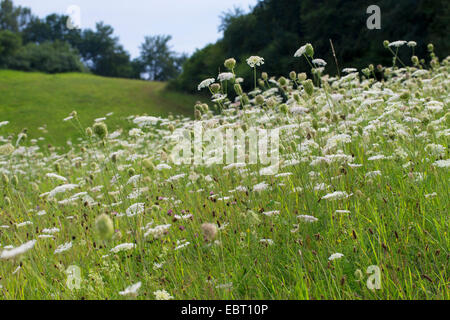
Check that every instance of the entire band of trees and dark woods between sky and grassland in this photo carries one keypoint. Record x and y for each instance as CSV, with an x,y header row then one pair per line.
x,y
273,29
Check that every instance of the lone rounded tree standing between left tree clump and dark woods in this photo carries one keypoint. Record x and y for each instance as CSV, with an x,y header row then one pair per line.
x,y
158,61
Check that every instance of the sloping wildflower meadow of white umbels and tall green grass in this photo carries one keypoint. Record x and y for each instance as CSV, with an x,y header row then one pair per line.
x,y
357,210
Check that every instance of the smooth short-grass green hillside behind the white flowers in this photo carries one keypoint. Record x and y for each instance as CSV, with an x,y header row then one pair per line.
x,y
32,100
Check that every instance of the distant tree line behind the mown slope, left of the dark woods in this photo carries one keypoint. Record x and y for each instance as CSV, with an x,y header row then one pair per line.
x,y
30,43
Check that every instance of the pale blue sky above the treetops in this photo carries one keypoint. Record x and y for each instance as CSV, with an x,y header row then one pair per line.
x,y
191,23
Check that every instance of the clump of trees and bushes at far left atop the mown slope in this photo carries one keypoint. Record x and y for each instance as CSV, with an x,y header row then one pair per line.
x,y
49,46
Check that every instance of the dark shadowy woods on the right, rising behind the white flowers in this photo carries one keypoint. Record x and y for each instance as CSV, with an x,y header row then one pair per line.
x,y
275,29
